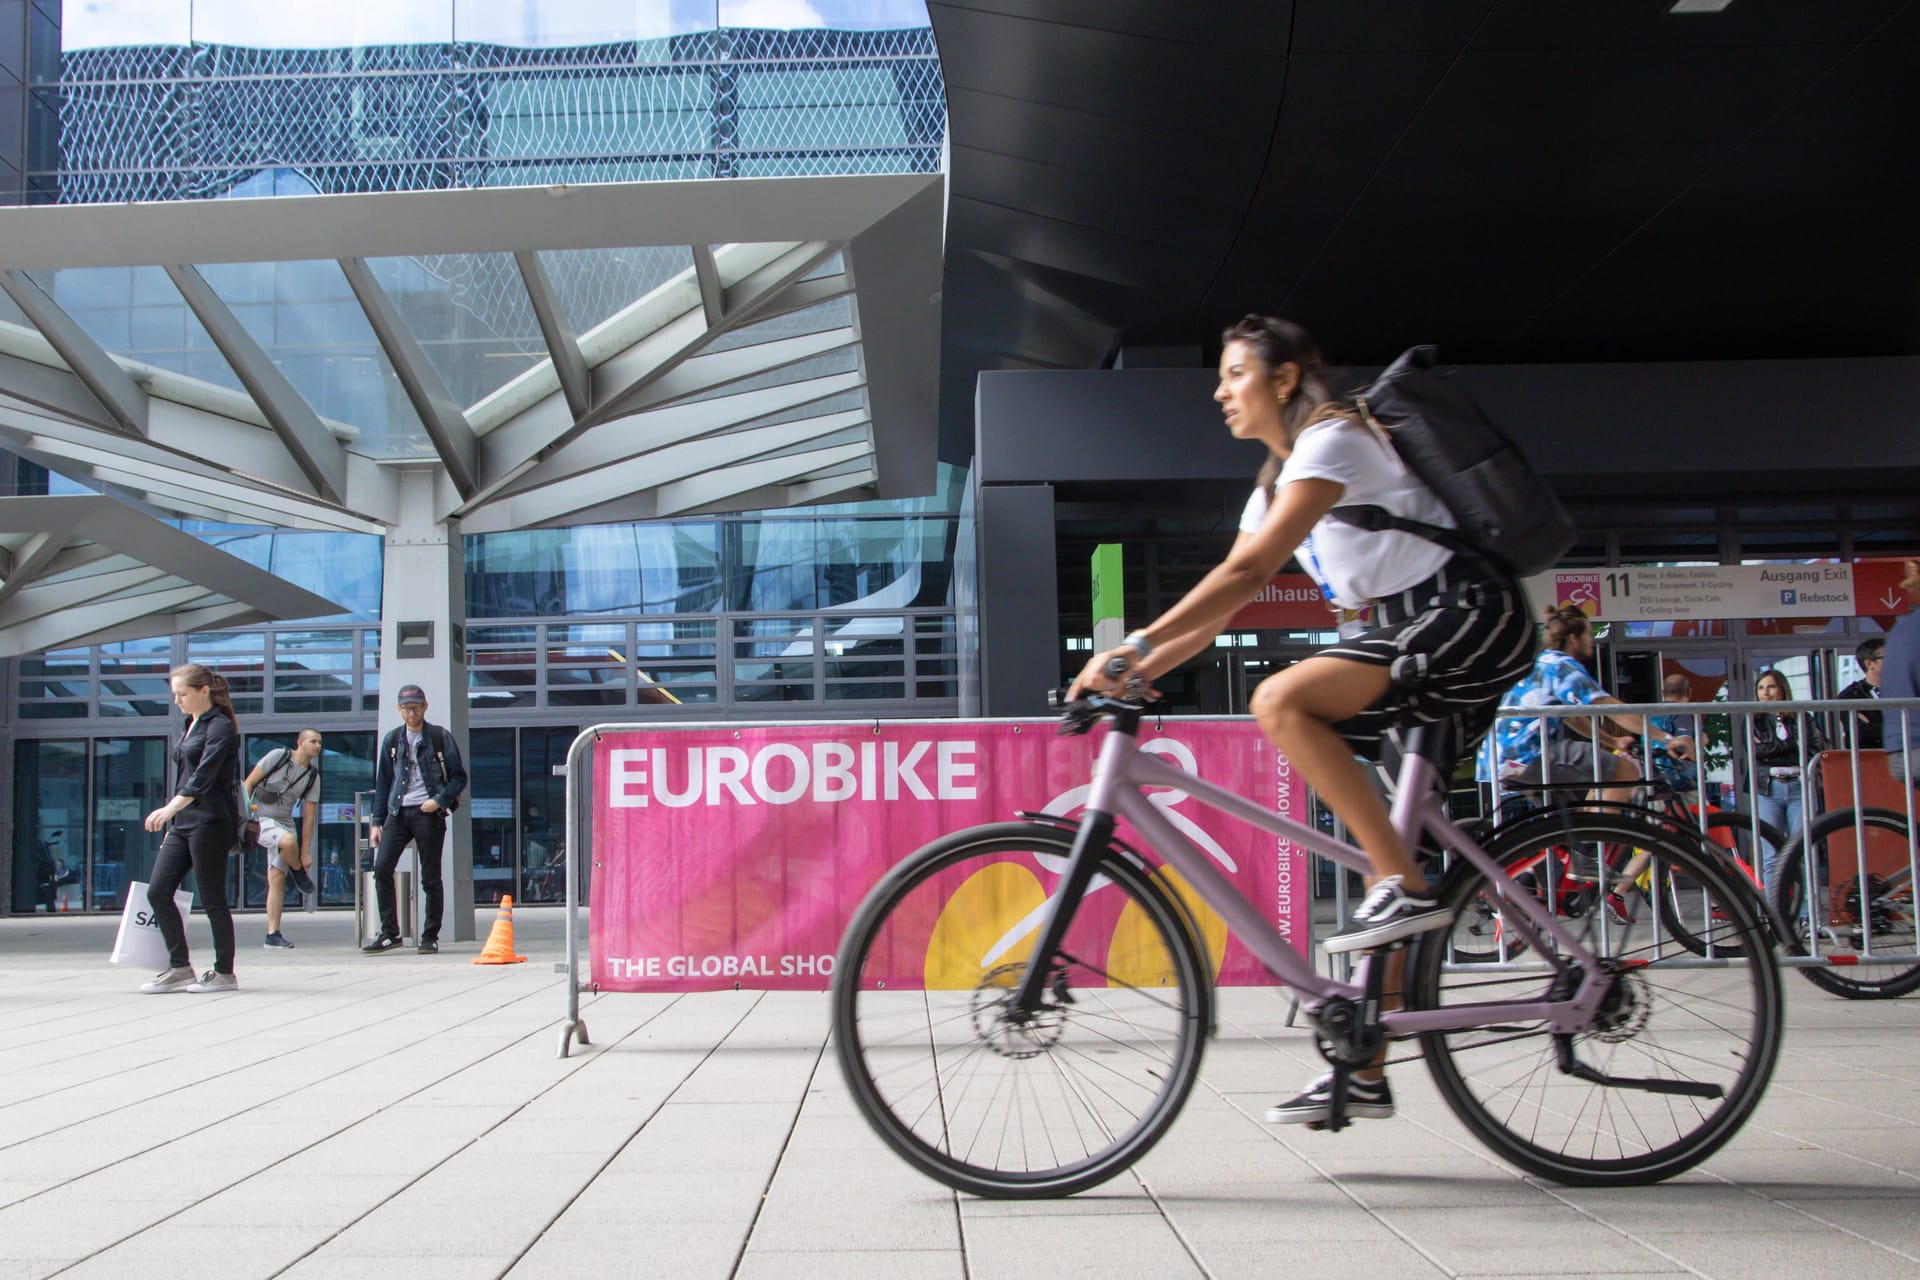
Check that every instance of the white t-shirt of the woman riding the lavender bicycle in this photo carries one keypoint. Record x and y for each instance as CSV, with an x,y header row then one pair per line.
x,y
1355,565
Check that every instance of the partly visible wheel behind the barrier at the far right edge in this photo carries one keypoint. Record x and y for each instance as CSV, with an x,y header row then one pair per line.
x,y
1850,924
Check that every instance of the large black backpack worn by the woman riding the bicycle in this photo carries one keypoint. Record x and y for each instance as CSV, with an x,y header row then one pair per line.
x,y
1506,513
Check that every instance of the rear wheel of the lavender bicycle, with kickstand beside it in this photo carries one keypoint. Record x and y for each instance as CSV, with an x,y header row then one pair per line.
x,y
1719,1028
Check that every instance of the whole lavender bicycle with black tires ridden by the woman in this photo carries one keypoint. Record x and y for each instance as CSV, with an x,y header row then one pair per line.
x,y
1049,1058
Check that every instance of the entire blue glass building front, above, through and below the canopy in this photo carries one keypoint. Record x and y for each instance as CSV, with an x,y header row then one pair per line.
x,y
688,619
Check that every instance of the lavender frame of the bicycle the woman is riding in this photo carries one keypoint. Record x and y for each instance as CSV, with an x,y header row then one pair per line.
x,y
1122,770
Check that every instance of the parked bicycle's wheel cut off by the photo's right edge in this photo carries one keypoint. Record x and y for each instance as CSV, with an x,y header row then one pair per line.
x,y
1890,918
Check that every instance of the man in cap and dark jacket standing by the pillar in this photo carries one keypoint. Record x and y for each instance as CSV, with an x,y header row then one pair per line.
x,y
418,782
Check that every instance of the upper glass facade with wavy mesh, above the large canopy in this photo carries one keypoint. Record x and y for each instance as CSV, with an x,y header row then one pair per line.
x,y
203,99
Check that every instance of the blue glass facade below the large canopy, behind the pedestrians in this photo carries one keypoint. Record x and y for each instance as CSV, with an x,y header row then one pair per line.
x,y
827,611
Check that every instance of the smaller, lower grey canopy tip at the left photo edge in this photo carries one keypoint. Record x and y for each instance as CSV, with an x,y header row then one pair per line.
x,y
91,571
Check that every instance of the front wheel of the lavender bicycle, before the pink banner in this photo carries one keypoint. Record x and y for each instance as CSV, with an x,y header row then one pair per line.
x,y
967,1093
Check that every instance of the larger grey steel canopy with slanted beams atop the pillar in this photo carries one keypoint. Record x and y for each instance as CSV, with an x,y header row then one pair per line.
x,y
794,360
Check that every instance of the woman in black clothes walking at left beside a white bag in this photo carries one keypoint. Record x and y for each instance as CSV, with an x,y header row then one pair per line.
x,y
203,826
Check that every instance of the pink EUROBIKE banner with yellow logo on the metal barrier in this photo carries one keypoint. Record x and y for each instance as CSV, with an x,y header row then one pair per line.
x,y
734,857
